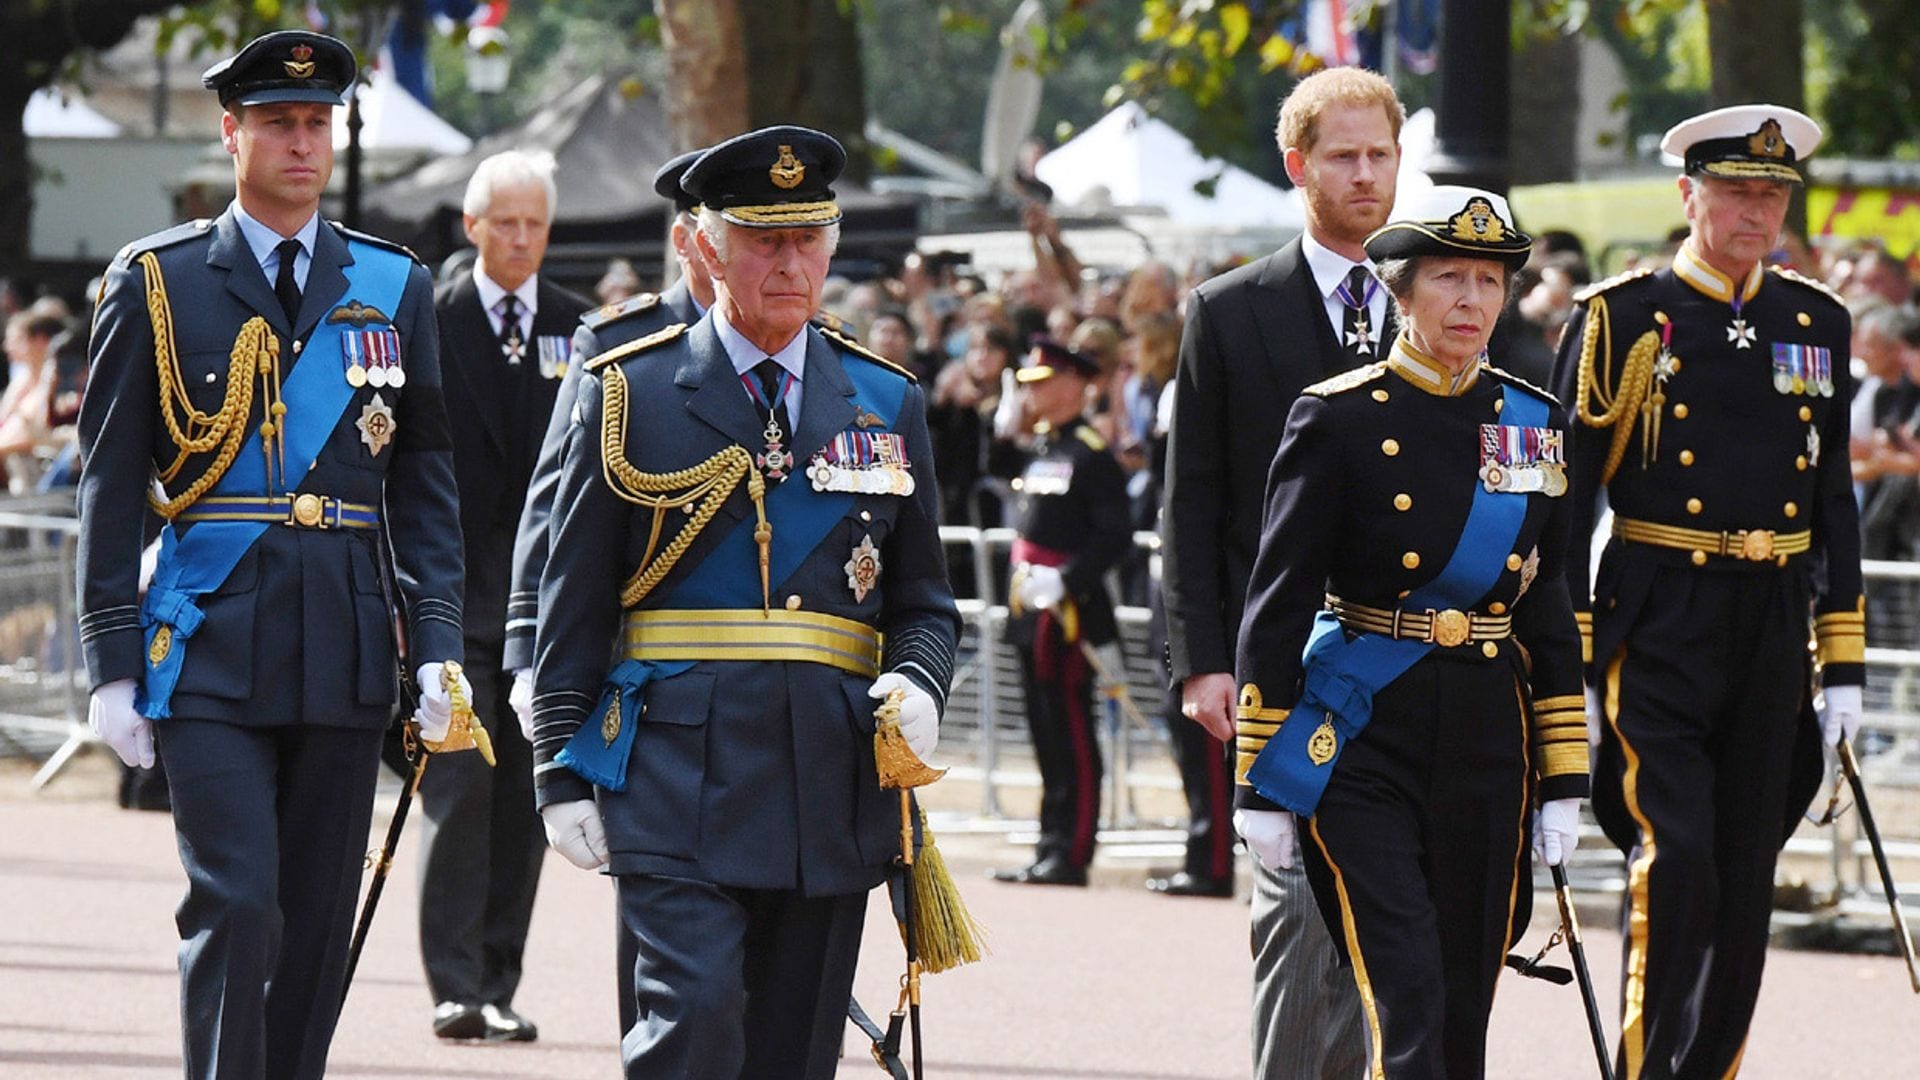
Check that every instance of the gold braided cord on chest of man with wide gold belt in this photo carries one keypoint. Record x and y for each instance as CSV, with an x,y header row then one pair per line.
x,y
708,483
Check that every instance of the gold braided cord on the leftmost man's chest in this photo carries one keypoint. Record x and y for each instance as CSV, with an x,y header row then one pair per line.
x,y
256,351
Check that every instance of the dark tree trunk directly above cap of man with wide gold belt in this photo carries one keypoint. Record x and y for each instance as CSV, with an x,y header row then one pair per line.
x,y
805,62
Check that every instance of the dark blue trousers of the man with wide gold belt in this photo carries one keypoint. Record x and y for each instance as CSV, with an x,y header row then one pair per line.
x,y
738,983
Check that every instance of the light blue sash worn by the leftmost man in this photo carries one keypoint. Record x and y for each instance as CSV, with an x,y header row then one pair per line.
x,y
197,564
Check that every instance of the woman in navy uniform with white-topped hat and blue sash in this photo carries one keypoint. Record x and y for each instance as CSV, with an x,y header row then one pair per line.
x,y
1410,664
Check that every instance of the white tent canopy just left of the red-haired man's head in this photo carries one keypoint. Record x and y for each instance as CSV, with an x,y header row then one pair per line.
x,y
1134,160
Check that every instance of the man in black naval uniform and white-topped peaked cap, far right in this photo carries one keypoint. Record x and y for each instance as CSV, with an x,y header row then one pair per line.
x,y
1712,410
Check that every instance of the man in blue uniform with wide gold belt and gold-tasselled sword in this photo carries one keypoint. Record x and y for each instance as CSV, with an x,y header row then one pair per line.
x,y
746,510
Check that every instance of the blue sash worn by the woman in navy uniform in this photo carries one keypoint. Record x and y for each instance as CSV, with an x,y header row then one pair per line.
x,y
1343,674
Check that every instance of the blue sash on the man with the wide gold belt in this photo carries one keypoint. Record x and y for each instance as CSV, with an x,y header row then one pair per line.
x,y
727,579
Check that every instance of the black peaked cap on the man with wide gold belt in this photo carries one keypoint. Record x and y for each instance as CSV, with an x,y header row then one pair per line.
x,y
777,178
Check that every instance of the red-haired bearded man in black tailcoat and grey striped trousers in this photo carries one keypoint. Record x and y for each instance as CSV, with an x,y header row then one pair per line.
x,y
1255,339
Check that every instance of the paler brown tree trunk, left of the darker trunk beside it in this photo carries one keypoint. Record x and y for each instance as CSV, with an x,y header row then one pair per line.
x,y
708,70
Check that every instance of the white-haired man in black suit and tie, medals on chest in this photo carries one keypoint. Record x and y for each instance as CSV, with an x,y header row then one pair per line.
x,y
506,339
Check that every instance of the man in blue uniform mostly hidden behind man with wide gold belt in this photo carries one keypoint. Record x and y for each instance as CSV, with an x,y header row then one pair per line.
x,y
598,331
